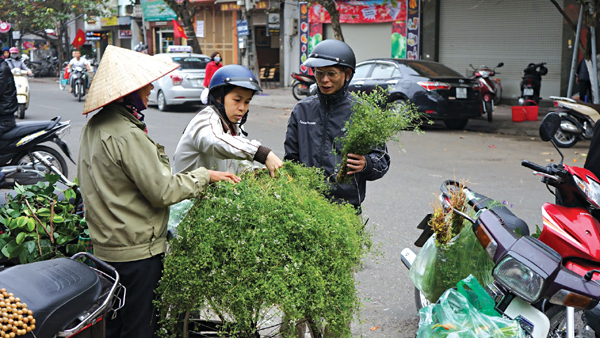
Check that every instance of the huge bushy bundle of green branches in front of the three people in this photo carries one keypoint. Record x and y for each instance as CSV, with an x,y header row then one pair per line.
x,y
265,243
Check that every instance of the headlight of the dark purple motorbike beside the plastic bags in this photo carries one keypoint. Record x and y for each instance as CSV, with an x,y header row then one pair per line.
x,y
519,278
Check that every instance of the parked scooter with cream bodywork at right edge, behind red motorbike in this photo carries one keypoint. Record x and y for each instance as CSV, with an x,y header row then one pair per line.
x,y
578,121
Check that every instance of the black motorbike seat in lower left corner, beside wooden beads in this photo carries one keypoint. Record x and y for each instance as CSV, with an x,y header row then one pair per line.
x,y
57,291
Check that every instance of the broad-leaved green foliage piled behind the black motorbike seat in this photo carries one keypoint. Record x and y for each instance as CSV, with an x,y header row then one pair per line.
x,y
36,225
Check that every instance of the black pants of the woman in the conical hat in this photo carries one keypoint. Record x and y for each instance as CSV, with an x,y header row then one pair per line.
x,y
138,319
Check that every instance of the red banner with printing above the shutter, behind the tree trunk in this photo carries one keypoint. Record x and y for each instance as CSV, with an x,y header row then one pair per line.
x,y
353,13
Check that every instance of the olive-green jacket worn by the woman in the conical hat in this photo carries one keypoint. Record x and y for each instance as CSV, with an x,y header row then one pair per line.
x,y
127,186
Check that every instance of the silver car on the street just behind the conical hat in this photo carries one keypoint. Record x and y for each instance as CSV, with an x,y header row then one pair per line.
x,y
183,85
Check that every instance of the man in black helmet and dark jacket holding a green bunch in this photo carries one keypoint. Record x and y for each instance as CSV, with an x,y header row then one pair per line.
x,y
317,120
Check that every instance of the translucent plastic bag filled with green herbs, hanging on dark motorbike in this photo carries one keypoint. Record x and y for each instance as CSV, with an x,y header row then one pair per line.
x,y
438,268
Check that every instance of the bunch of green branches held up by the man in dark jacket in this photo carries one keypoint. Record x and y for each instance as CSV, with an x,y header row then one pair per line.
x,y
373,123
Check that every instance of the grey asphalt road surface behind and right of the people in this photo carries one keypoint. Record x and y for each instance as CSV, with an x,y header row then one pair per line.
x,y
490,163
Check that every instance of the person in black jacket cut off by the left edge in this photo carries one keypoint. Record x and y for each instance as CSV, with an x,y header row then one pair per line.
x,y
8,98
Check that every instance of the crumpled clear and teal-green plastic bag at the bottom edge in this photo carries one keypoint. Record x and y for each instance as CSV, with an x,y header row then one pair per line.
x,y
456,316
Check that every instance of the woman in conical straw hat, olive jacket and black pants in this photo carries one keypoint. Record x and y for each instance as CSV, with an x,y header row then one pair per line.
x,y
127,185
